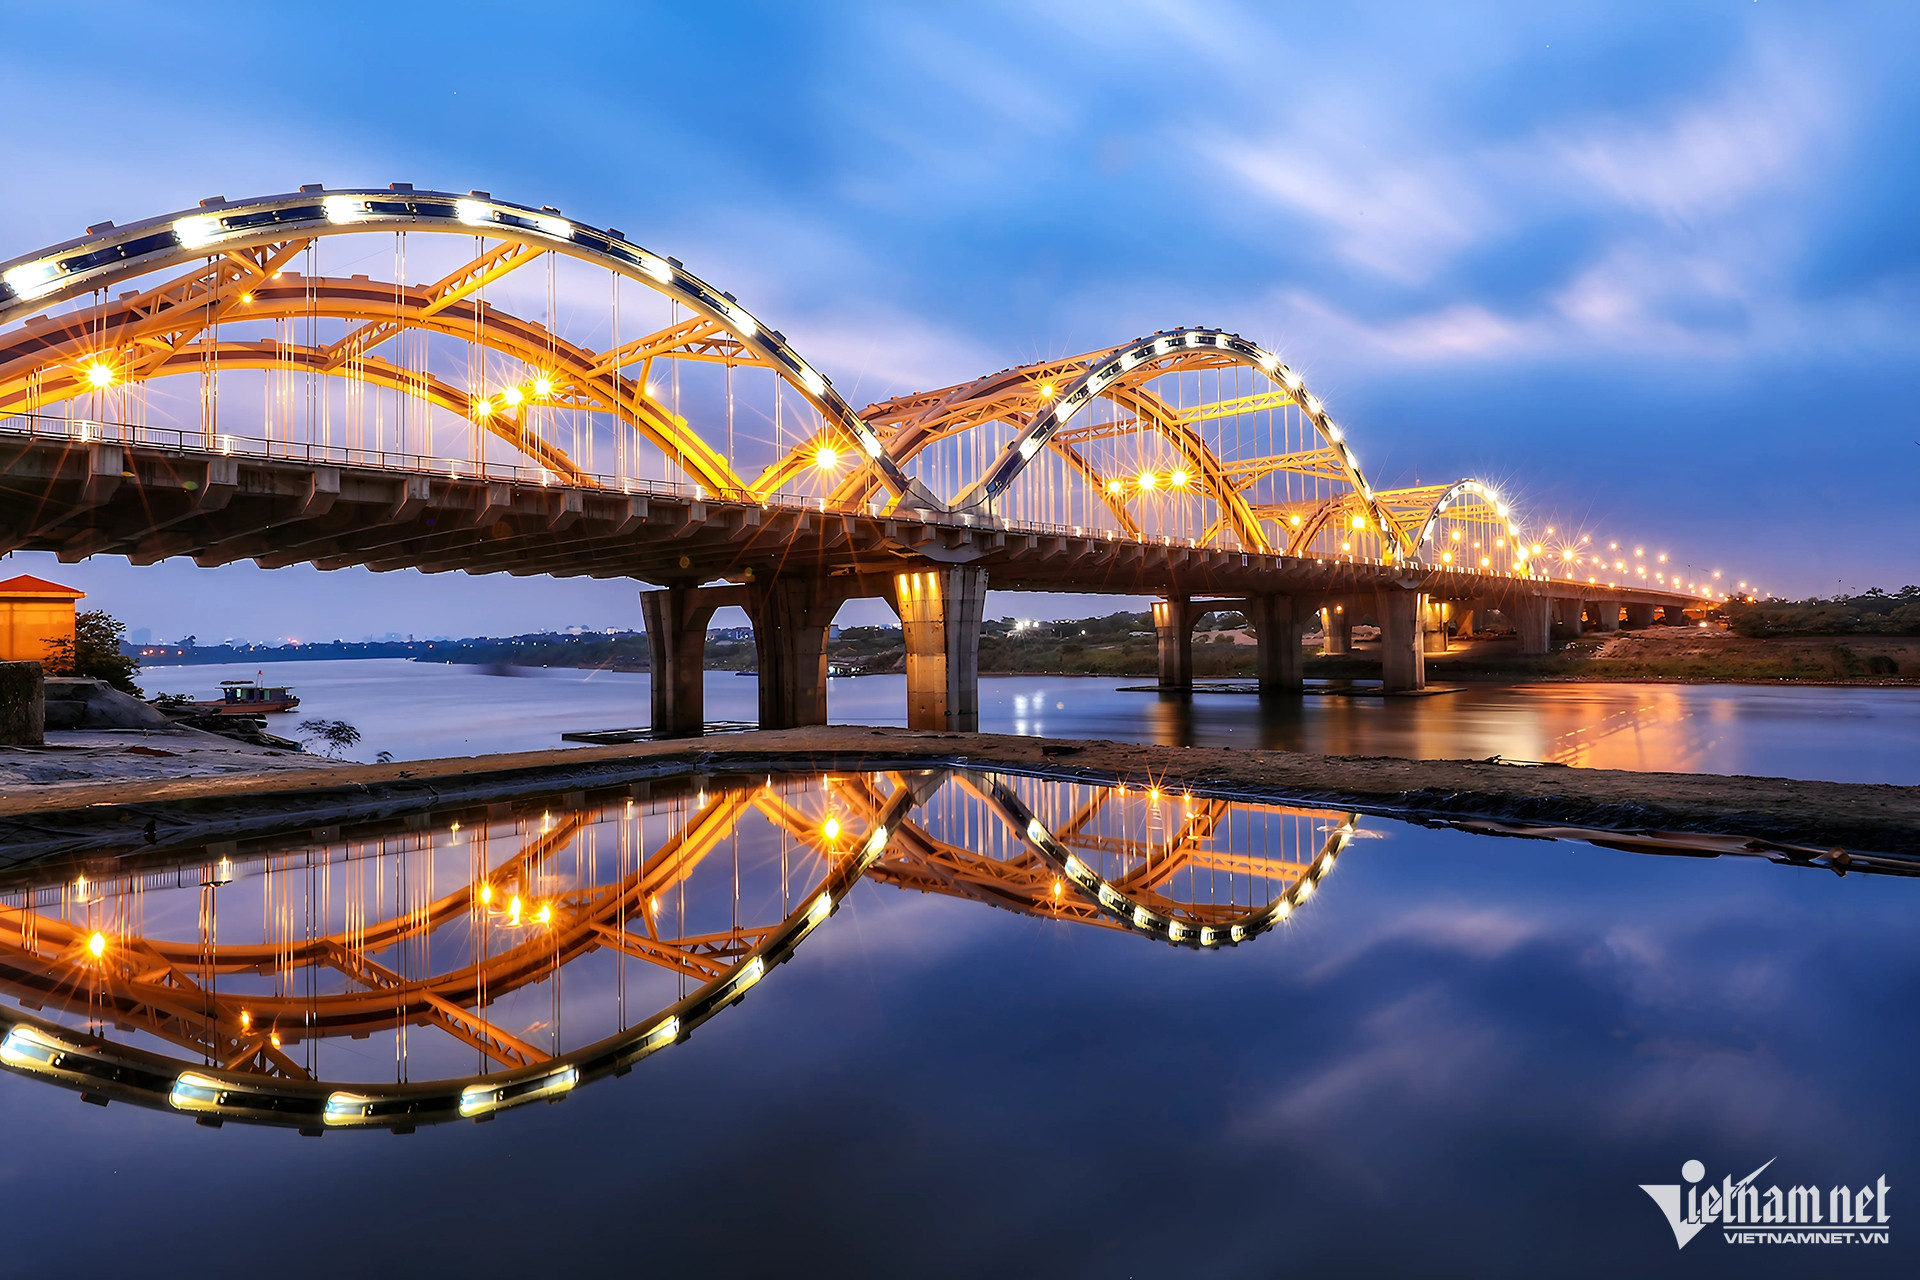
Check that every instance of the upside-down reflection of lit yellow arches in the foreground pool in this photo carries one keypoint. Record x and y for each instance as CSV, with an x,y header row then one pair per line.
x,y
412,974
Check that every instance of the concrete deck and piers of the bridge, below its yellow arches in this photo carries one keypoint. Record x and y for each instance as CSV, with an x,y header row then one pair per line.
x,y
788,565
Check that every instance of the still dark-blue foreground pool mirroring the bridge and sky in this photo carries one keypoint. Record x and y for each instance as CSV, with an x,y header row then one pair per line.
x,y
1458,1056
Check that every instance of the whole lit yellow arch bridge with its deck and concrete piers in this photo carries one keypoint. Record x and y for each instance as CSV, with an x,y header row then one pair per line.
x,y
400,379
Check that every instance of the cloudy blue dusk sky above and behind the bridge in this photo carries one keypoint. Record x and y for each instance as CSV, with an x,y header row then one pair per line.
x,y
1658,268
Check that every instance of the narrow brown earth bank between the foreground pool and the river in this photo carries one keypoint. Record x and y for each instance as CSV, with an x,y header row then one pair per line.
x,y
1740,815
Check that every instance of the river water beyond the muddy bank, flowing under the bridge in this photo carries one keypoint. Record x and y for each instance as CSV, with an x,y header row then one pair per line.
x,y
1873,736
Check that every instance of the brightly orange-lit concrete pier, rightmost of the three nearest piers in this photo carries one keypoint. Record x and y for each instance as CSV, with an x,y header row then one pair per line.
x,y
940,619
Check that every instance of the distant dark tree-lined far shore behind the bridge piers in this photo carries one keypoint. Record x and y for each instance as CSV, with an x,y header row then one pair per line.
x,y
1869,640
